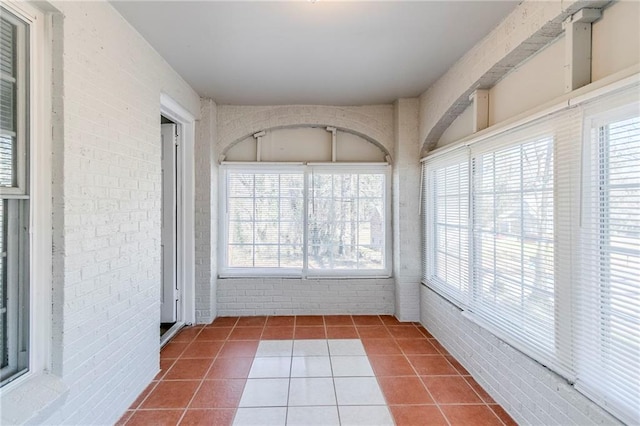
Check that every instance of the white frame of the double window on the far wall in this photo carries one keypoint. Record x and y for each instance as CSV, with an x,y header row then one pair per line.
x,y
304,168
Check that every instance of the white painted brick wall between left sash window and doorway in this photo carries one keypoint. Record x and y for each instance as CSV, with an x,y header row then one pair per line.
x,y
107,193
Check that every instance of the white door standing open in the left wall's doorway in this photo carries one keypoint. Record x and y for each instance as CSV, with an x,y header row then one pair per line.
x,y
169,294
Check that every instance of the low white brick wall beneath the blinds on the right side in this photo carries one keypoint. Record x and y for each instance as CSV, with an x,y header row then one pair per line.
x,y
531,393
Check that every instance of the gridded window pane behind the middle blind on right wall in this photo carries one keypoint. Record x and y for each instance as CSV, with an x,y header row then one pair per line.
x,y
513,238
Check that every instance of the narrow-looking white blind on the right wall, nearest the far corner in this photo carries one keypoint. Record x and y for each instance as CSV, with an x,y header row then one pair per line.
x,y
446,207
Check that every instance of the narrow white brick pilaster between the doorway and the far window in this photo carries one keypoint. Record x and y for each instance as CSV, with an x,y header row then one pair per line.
x,y
206,193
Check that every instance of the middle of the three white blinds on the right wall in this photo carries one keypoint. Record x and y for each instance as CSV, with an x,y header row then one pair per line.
x,y
516,268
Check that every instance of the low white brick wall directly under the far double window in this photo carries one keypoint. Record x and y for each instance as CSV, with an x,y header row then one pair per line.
x,y
295,296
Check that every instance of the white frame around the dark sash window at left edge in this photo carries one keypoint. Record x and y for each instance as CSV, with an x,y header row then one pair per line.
x,y
40,211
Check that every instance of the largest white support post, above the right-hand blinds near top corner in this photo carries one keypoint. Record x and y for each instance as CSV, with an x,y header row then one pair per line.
x,y
578,48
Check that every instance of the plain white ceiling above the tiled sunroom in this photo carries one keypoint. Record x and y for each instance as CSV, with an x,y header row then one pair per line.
x,y
299,52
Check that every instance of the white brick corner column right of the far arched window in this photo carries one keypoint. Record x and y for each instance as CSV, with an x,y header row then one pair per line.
x,y
406,204
